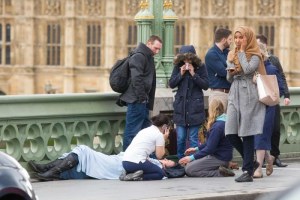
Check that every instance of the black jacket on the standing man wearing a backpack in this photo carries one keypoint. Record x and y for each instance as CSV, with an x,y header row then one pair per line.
x,y
143,77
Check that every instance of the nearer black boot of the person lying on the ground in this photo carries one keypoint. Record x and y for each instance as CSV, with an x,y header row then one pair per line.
x,y
53,174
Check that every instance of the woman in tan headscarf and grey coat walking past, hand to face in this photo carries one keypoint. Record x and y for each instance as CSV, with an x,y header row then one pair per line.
x,y
245,113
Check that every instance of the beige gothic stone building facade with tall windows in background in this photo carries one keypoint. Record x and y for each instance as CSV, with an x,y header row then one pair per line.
x,y
69,46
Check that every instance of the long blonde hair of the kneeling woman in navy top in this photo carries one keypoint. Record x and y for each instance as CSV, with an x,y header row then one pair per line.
x,y
215,109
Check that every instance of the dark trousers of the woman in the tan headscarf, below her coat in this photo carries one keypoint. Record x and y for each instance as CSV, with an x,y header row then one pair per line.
x,y
245,146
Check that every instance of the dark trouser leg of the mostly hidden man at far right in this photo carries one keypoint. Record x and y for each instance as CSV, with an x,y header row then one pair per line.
x,y
276,133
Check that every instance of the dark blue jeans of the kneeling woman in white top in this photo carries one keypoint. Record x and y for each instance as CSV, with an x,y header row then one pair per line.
x,y
151,171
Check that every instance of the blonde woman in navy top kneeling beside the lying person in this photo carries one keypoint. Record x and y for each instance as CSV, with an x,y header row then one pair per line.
x,y
211,159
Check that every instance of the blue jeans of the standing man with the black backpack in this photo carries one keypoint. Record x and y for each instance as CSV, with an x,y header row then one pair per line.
x,y
137,118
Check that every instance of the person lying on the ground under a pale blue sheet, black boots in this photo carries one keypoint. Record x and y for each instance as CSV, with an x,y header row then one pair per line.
x,y
84,163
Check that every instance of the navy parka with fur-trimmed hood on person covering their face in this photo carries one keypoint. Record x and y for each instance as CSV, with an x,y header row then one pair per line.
x,y
189,99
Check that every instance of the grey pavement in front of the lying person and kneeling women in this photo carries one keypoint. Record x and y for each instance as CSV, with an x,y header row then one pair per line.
x,y
175,189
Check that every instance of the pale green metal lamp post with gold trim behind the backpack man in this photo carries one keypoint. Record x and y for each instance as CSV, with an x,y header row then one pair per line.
x,y
156,17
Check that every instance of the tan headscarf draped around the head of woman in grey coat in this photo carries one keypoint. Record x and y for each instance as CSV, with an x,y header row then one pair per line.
x,y
251,49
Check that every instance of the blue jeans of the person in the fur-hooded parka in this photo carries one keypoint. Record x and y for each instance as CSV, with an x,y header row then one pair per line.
x,y
182,132
